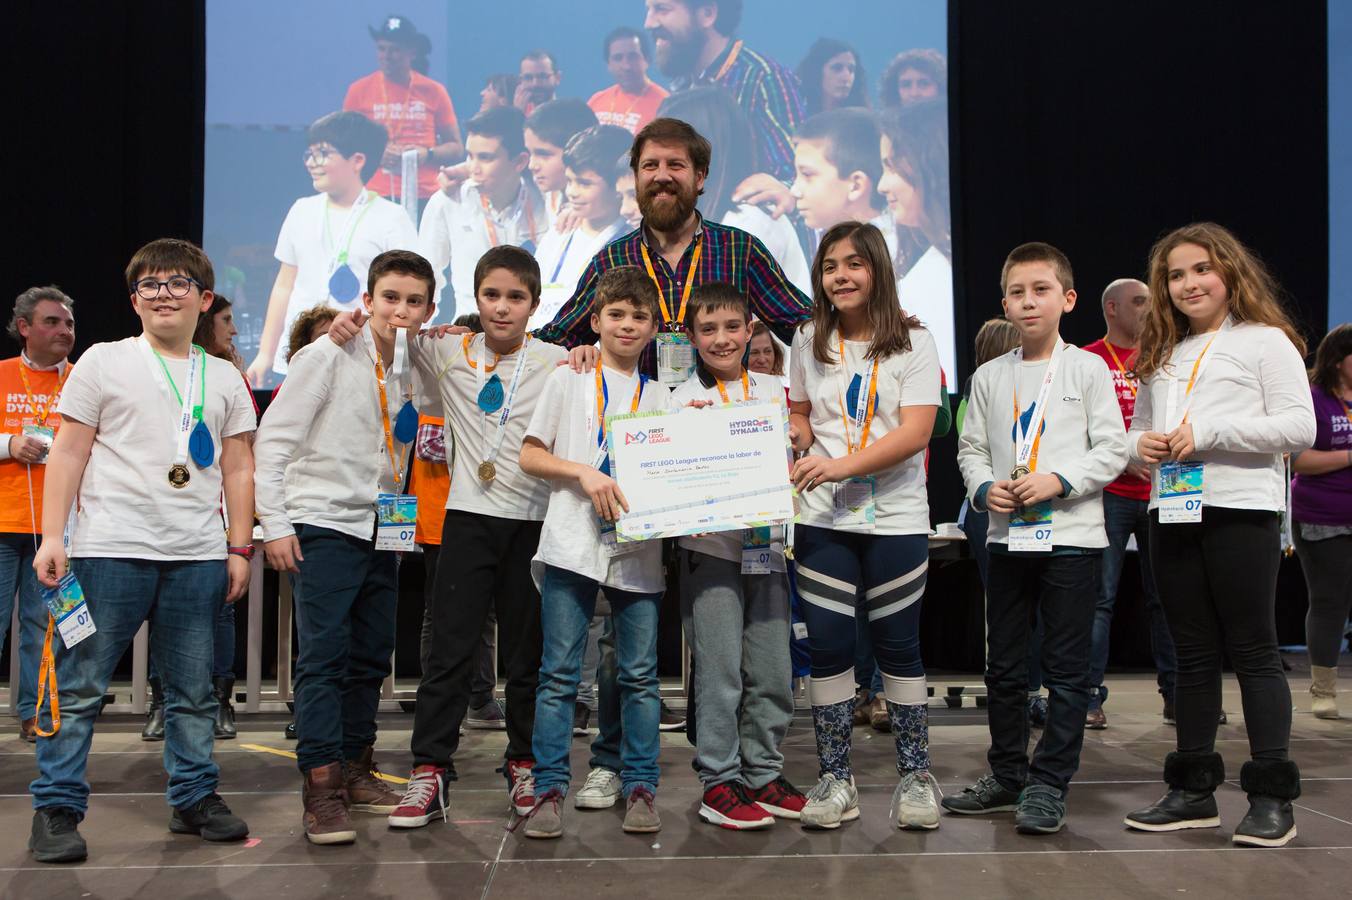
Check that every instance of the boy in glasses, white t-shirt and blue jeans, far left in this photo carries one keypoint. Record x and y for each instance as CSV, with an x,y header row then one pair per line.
x,y
153,432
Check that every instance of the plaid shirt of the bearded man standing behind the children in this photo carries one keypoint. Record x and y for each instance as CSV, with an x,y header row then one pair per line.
x,y
729,255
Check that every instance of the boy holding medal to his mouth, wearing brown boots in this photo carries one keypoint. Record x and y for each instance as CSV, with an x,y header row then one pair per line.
x,y
332,516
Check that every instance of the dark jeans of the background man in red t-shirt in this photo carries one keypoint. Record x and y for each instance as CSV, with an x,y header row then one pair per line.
x,y
1123,518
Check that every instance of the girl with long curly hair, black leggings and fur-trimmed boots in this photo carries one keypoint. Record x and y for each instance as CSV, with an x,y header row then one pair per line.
x,y
1223,397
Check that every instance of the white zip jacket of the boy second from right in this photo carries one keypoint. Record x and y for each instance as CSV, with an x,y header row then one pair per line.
x,y
1084,439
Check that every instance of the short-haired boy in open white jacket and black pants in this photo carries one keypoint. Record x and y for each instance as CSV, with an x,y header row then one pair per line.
x,y
1043,439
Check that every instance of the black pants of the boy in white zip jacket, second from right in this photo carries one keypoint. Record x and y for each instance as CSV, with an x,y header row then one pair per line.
x,y
1063,591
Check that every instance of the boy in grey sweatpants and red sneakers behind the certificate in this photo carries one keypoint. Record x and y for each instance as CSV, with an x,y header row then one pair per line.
x,y
735,605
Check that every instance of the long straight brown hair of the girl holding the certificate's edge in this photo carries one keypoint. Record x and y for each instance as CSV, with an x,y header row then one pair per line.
x,y
892,328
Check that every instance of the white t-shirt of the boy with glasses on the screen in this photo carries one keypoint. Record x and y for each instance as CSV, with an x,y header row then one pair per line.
x,y
313,248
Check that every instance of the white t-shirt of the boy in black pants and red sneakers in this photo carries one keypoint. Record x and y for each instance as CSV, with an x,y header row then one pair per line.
x,y
512,494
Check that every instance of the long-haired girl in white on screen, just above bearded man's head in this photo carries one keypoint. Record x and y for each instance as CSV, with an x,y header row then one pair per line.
x,y
715,114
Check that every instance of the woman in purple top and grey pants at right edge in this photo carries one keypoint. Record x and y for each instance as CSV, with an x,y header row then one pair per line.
x,y
1322,509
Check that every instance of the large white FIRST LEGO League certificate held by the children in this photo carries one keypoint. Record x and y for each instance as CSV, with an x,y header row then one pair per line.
x,y
701,471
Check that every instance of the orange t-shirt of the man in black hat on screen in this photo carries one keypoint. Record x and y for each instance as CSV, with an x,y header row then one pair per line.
x,y
413,116
